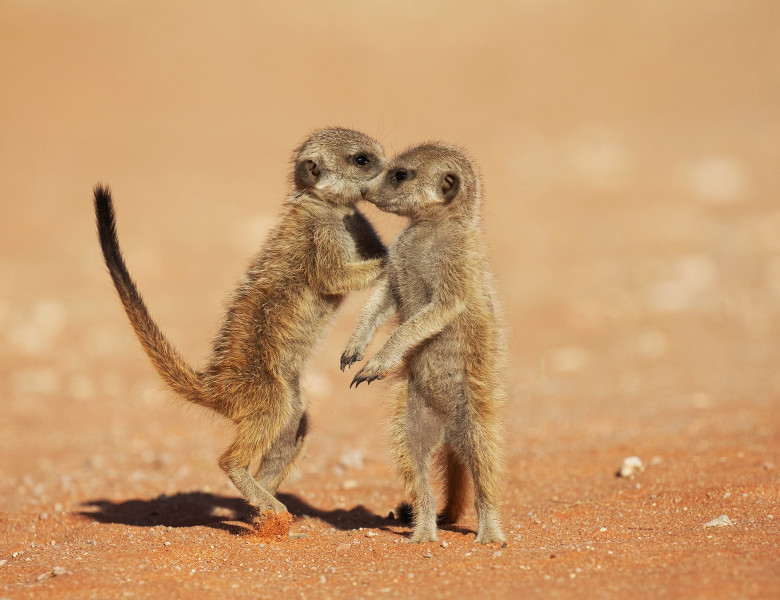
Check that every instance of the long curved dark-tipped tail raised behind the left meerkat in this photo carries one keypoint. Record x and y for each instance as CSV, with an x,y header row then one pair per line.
x,y
182,378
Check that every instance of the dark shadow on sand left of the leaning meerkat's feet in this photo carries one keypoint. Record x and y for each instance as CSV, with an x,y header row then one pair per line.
x,y
189,509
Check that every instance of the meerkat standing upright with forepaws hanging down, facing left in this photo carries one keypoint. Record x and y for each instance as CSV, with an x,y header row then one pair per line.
x,y
449,341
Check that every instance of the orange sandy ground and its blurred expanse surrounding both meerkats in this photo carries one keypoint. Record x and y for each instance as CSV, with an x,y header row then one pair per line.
x,y
630,155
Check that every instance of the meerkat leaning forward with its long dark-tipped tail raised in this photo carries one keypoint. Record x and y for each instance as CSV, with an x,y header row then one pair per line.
x,y
321,248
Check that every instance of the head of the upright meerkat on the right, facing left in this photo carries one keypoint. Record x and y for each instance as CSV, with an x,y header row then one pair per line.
x,y
428,179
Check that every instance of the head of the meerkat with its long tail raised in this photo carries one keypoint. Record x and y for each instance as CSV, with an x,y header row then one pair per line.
x,y
336,164
